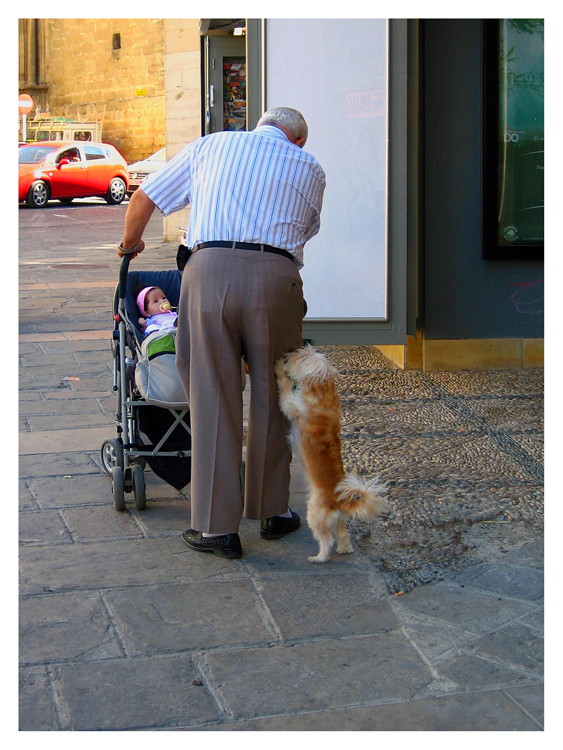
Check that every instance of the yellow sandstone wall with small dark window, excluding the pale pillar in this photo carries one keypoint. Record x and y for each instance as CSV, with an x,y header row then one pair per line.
x,y
124,89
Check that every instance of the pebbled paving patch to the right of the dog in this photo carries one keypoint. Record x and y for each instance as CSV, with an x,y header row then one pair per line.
x,y
462,453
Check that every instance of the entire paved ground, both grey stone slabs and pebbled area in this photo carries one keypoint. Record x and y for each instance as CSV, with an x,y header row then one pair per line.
x,y
122,627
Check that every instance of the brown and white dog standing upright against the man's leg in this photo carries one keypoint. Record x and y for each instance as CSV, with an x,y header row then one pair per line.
x,y
308,398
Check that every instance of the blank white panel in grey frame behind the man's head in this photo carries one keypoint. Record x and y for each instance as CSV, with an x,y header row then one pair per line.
x,y
335,72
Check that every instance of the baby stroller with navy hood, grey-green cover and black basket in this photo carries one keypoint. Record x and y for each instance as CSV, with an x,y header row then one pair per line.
x,y
152,416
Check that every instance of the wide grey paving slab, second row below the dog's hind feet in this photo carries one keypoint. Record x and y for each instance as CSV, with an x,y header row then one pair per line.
x,y
321,673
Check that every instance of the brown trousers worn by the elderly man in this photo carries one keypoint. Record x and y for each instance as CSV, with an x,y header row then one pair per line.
x,y
234,304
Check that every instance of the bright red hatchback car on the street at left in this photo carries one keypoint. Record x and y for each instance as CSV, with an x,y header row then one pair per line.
x,y
71,169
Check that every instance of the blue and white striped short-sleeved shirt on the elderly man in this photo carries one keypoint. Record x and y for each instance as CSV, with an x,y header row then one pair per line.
x,y
251,186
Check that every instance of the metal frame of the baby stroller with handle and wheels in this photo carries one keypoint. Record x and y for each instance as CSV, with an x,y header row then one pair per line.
x,y
124,458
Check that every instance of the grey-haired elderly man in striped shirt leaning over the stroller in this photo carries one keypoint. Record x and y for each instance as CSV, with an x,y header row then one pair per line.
x,y
255,200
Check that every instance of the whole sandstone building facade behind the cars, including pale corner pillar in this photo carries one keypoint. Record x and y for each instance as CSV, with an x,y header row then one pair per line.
x,y
141,78
